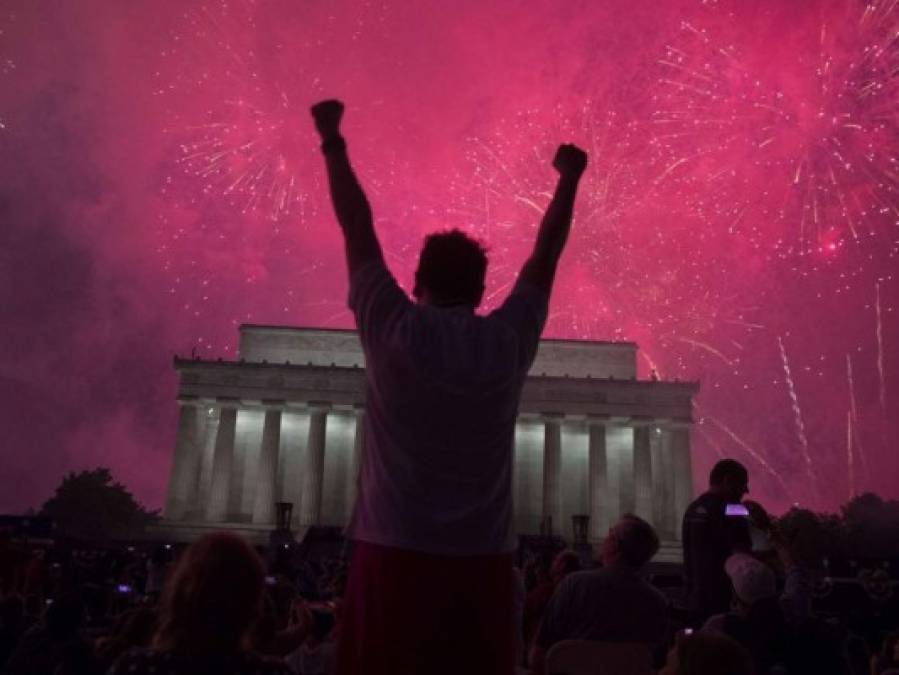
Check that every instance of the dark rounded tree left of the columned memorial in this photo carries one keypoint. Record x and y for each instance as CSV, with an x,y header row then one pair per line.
x,y
91,505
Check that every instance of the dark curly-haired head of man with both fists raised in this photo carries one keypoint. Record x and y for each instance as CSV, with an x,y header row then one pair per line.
x,y
451,270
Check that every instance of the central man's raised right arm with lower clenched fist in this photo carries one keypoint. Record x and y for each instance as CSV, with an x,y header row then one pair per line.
x,y
540,268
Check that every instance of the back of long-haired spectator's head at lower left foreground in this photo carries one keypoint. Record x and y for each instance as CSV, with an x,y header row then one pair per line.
x,y
213,598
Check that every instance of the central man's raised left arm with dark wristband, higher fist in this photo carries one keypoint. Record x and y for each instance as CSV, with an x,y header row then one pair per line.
x,y
350,205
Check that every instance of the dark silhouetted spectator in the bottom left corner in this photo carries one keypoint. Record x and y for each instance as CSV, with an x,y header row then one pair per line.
x,y
55,646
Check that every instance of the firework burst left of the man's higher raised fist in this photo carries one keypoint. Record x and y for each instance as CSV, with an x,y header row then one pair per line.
x,y
245,146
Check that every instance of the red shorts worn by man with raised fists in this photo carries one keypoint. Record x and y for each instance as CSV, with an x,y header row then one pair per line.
x,y
410,613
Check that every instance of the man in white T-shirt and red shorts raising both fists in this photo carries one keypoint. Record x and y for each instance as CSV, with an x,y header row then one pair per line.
x,y
431,580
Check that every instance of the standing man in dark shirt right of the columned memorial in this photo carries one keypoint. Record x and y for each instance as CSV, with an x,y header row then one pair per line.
x,y
710,535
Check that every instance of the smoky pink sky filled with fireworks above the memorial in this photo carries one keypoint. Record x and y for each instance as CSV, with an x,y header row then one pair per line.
x,y
741,195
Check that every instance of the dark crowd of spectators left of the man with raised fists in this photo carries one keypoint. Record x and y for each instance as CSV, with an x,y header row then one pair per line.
x,y
216,606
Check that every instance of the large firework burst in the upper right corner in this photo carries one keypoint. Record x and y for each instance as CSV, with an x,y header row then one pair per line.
x,y
797,159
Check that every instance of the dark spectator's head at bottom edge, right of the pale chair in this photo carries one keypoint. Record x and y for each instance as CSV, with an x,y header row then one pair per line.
x,y
707,654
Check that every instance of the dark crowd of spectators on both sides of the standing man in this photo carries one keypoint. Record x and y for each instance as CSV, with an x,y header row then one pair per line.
x,y
221,606
